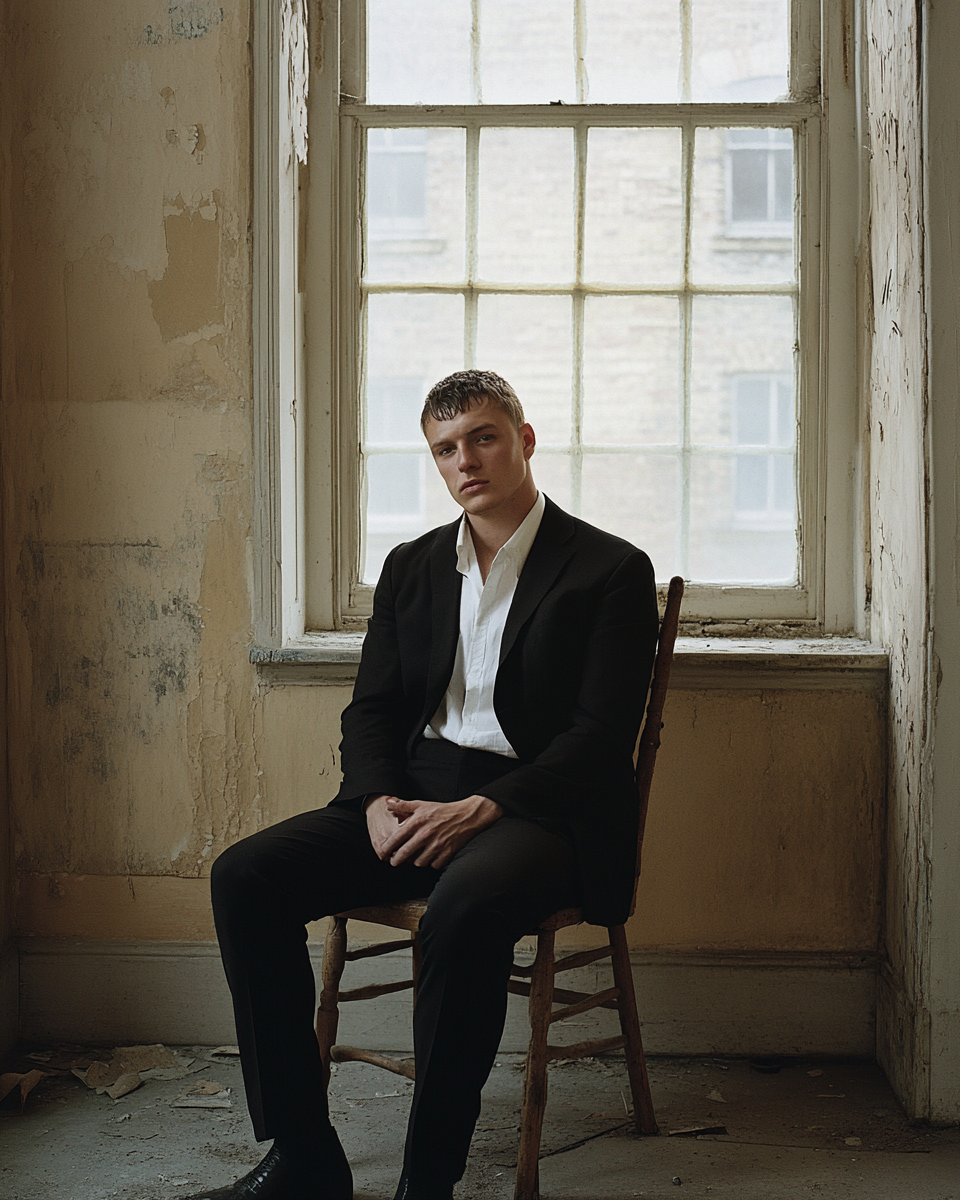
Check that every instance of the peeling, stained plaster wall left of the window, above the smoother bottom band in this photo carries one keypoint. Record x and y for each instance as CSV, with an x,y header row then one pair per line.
x,y
127,434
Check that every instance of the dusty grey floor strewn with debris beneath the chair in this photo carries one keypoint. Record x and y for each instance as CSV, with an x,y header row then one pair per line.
x,y
789,1135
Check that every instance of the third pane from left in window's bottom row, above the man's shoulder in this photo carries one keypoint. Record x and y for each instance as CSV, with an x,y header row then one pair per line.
x,y
635,497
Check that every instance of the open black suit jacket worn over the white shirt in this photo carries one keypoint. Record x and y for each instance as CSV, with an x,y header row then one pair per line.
x,y
575,663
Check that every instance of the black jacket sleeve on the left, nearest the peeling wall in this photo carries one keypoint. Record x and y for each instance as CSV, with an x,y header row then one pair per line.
x,y
374,725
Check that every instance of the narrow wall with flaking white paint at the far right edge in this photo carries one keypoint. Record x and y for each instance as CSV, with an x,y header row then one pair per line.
x,y
914,118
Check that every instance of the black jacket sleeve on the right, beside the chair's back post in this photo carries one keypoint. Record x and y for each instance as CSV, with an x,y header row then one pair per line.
x,y
567,778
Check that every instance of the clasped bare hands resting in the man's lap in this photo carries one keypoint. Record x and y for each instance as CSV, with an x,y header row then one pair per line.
x,y
423,832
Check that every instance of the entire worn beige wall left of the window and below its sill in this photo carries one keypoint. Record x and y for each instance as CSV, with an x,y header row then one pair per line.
x,y
142,742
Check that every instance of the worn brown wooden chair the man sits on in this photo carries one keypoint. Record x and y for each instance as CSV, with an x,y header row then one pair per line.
x,y
541,989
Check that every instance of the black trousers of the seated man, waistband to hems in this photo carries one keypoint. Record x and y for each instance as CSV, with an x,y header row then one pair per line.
x,y
500,887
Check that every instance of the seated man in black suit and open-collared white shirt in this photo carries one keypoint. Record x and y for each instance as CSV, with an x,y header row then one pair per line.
x,y
488,764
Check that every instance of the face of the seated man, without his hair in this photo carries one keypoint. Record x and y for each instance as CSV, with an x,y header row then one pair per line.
x,y
483,457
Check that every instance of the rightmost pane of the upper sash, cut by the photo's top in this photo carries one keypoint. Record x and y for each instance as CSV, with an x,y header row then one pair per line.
x,y
741,51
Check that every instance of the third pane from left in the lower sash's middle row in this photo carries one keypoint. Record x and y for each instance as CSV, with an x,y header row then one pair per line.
x,y
631,369
